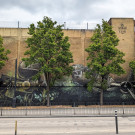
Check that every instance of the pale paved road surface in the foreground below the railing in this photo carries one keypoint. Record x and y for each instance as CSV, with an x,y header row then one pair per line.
x,y
67,126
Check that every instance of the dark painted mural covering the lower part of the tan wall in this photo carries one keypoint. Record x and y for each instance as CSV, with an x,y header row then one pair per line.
x,y
67,91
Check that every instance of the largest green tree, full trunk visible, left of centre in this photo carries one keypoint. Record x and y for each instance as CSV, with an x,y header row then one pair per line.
x,y
48,47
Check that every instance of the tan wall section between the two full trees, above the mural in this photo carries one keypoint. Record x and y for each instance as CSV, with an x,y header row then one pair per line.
x,y
79,39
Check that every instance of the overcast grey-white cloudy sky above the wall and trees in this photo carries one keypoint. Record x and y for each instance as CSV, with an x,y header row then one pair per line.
x,y
75,12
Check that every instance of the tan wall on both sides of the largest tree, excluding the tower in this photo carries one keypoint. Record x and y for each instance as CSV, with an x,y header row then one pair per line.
x,y
14,40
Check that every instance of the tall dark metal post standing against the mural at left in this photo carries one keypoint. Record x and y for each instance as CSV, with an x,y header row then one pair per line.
x,y
14,98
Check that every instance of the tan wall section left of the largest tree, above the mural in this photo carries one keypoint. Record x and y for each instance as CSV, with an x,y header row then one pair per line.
x,y
14,40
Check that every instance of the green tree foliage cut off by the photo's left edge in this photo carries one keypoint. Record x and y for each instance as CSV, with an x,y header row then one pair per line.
x,y
3,54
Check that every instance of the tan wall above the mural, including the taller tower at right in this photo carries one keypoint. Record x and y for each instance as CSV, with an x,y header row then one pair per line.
x,y
14,39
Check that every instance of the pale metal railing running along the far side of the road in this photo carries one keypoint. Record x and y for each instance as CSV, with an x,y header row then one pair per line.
x,y
43,111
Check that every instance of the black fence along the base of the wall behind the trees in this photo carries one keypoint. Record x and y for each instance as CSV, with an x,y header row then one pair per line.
x,y
73,96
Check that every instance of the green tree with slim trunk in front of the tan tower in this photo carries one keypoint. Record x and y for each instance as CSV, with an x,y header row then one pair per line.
x,y
103,57
